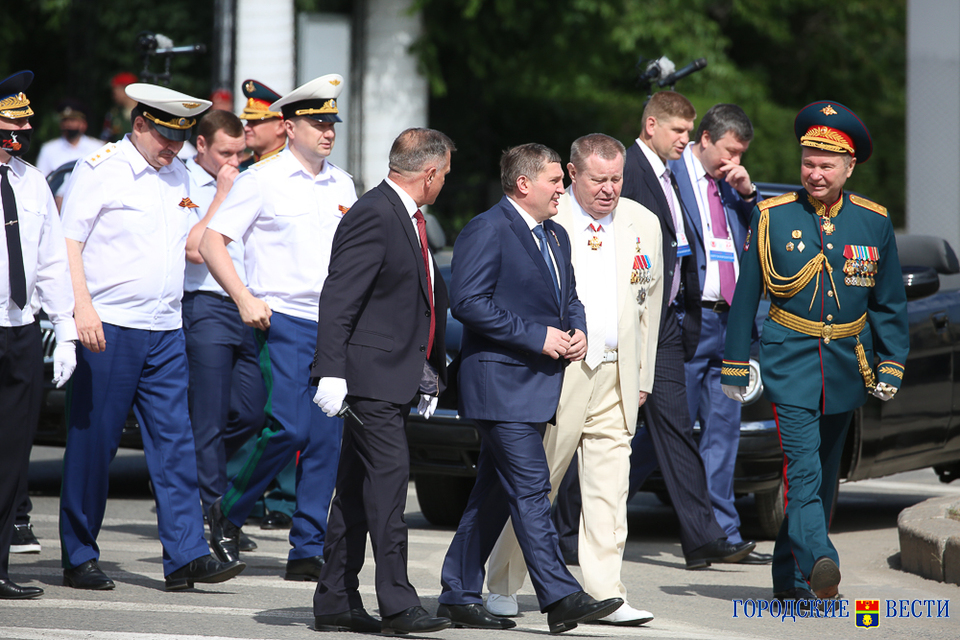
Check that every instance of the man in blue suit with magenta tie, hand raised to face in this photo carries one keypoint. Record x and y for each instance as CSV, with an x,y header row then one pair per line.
x,y
717,192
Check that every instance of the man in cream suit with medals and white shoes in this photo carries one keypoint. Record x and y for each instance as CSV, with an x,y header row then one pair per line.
x,y
618,266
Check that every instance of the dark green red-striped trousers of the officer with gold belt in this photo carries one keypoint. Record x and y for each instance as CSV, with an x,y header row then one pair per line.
x,y
812,446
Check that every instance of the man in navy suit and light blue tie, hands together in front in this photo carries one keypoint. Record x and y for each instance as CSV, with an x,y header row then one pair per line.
x,y
513,289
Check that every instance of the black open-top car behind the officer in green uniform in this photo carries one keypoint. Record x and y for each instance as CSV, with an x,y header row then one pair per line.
x,y
914,431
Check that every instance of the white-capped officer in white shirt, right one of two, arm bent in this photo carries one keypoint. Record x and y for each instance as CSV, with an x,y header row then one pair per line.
x,y
286,210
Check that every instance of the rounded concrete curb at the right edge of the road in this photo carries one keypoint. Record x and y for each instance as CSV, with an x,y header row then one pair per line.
x,y
930,540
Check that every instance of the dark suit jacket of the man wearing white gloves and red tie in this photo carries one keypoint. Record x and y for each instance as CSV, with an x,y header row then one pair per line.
x,y
374,308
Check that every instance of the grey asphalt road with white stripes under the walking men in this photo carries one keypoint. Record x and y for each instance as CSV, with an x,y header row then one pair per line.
x,y
260,604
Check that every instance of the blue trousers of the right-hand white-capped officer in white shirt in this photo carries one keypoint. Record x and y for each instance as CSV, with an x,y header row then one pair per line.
x,y
294,423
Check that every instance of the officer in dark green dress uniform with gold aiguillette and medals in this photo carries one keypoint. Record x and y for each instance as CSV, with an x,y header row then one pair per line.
x,y
828,260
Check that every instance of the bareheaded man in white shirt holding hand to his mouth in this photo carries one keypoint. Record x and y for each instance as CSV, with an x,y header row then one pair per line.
x,y
226,389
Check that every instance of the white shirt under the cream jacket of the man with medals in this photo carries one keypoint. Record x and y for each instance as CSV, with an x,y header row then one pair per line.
x,y
598,291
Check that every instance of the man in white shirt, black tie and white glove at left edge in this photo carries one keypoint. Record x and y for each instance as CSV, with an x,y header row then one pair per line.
x,y
33,270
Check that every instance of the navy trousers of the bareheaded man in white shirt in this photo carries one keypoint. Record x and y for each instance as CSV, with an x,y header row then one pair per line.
x,y
226,393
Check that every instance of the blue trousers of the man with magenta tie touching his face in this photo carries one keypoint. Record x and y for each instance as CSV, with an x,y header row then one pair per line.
x,y
719,420
